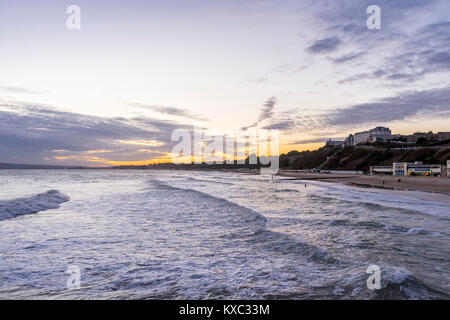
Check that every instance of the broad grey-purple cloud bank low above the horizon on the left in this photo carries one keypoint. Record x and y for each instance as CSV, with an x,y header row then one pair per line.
x,y
36,134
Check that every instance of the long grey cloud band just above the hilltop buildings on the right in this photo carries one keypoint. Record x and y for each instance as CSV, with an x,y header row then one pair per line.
x,y
401,107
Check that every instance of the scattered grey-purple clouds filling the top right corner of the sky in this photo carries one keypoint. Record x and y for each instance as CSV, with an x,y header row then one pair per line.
x,y
409,49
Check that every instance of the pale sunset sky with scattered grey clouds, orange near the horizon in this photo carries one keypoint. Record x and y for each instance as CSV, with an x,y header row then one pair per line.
x,y
113,91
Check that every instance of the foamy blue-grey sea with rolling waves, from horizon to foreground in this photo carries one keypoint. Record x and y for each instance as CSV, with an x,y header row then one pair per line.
x,y
154,234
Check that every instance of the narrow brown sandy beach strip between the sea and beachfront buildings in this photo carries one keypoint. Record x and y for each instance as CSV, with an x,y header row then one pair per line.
x,y
439,185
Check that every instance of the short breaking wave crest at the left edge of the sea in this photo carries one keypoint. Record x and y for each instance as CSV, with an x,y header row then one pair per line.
x,y
49,200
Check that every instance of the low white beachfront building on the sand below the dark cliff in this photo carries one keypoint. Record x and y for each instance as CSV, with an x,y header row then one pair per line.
x,y
408,169
